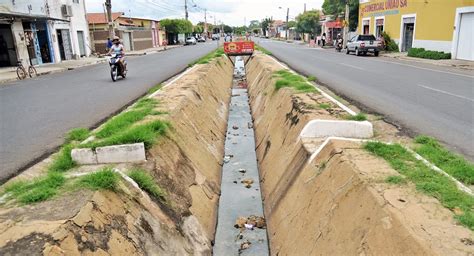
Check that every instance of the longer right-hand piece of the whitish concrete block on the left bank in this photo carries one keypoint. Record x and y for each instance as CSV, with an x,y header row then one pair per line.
x,y
121,153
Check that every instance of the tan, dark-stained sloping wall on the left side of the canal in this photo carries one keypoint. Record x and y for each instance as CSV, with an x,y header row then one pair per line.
x,y
186,164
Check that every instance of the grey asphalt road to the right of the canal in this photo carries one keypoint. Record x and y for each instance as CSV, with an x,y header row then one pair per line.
x,y
426,99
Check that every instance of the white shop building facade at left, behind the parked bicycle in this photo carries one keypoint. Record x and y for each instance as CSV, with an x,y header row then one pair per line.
x,y
42,31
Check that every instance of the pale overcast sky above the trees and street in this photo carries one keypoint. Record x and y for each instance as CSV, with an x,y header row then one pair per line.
x,y
232,12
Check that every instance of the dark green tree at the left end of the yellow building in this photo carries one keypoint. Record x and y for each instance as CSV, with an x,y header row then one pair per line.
x,y
337,9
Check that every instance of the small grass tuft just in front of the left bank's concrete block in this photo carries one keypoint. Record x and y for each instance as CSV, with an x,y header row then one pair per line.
x,y
103,179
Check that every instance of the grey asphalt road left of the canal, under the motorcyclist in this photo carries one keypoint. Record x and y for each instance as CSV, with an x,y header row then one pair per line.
x,y
35,114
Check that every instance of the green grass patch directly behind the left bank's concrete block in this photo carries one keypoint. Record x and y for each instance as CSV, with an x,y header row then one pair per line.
x,y
146,133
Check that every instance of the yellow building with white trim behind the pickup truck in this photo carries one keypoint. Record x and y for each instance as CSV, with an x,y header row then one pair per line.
x,y
440,25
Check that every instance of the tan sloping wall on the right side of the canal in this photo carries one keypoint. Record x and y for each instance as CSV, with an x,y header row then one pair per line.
x,y
338,203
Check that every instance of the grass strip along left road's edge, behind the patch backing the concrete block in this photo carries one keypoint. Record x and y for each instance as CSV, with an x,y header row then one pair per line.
x,y
124,120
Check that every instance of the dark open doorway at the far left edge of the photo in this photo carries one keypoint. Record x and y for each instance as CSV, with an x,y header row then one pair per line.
x,y
7,47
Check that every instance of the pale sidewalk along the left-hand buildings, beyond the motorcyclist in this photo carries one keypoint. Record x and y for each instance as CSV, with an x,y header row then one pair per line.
x,y
8,74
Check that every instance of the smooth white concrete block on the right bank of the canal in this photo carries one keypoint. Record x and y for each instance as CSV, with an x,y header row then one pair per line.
x,y
337,128
